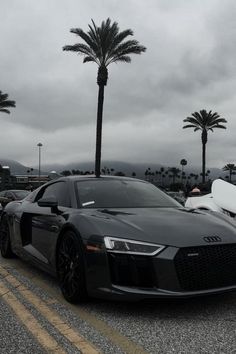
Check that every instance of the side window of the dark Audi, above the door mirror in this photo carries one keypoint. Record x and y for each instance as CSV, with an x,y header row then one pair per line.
x,y
58,190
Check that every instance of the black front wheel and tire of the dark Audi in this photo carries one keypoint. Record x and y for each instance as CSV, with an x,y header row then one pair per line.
x,y
70,268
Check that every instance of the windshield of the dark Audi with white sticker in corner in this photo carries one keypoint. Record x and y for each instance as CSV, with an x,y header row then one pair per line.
x,y
114,193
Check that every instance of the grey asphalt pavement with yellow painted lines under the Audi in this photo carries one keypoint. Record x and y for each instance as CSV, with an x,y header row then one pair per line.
x,y
34,318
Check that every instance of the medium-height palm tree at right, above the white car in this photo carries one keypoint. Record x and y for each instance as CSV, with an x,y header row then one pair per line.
x,y
204,121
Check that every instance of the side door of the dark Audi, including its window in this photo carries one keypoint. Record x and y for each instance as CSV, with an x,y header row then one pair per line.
x,y
41,225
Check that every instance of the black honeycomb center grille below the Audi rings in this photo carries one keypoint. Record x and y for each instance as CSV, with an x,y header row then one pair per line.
x,y
206,267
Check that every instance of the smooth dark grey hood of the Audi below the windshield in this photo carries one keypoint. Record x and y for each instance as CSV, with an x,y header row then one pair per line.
x,y
178,227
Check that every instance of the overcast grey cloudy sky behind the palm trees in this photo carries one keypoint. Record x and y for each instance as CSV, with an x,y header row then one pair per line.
x,y
190,64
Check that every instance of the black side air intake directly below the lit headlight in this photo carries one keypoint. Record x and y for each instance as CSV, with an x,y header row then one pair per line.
x,y
131,270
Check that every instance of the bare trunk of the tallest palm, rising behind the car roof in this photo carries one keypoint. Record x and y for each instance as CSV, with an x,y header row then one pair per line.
x,y
99,131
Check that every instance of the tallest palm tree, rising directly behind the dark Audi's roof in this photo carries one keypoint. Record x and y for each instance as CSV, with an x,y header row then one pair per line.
x,y
104,45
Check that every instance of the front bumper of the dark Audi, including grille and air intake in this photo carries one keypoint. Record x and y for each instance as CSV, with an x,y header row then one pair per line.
x,y
174,273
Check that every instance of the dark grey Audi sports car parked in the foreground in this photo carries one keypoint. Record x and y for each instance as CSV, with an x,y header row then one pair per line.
x,y
120,238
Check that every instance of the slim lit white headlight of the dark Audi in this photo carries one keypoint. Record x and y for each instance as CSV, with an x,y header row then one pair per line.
x,y
122,245
